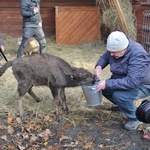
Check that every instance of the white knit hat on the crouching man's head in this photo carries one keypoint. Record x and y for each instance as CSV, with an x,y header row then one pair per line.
x,y
117,41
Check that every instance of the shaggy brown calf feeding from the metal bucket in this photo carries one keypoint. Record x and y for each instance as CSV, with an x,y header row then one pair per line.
x,y
48,70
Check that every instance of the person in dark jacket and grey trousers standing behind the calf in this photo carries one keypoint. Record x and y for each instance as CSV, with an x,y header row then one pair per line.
x,y
32,25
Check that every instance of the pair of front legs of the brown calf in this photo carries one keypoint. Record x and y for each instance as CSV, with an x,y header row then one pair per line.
x,y
59,98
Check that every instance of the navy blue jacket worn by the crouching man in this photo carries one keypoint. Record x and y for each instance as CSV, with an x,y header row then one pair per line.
x,y
129,71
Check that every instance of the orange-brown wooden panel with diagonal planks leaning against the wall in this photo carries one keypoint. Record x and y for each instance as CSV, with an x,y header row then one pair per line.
x,y
75,25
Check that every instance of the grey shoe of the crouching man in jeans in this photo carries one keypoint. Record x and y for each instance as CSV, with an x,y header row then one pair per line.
x,y
132,125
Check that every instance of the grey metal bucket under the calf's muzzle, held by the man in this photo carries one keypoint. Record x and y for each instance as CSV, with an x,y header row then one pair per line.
x,y
92,98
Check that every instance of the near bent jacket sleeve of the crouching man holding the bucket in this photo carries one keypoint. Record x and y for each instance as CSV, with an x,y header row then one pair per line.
x,y
137,69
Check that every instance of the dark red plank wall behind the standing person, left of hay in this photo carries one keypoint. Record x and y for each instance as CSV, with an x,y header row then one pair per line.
x,y
11,19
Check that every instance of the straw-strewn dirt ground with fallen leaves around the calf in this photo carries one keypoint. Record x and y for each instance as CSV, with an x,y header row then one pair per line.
x,y
85,128
